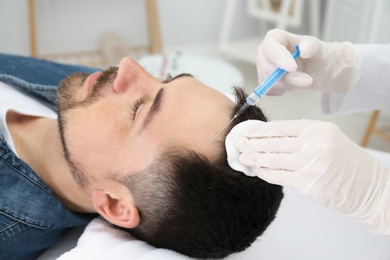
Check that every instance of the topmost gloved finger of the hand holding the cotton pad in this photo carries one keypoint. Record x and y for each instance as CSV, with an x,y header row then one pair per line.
x,y
282,128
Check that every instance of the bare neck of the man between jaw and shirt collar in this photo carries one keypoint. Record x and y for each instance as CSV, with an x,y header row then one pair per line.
x,y
38,143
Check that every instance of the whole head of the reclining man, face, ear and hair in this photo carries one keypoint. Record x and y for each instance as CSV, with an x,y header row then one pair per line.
x,y
140,147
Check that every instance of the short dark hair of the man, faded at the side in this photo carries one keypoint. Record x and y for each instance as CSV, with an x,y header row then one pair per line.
x,y
200,208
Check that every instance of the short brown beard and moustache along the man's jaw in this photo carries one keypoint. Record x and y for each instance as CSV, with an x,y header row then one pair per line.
x,y
66,100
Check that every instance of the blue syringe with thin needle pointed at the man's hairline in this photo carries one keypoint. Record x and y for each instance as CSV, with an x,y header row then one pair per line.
x,y
260,91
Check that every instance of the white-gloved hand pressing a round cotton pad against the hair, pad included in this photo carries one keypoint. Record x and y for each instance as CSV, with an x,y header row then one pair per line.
x,y
318,160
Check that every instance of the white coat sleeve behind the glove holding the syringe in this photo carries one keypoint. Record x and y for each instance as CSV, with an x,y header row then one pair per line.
x,y
372,90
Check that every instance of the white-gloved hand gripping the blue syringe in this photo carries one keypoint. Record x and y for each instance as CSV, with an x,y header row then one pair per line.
x,y
327,67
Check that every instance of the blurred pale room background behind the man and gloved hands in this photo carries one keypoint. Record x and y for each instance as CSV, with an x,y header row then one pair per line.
x,y
216,39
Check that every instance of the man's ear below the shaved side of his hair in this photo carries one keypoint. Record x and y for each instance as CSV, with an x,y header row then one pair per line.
x,y
115,210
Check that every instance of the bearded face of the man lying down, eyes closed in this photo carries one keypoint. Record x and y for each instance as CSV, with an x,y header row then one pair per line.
x,y
118,121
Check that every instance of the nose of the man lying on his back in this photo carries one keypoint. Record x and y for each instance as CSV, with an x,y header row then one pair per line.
x,y
130,73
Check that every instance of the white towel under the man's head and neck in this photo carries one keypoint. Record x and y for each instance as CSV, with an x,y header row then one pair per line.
x,y
102,241
